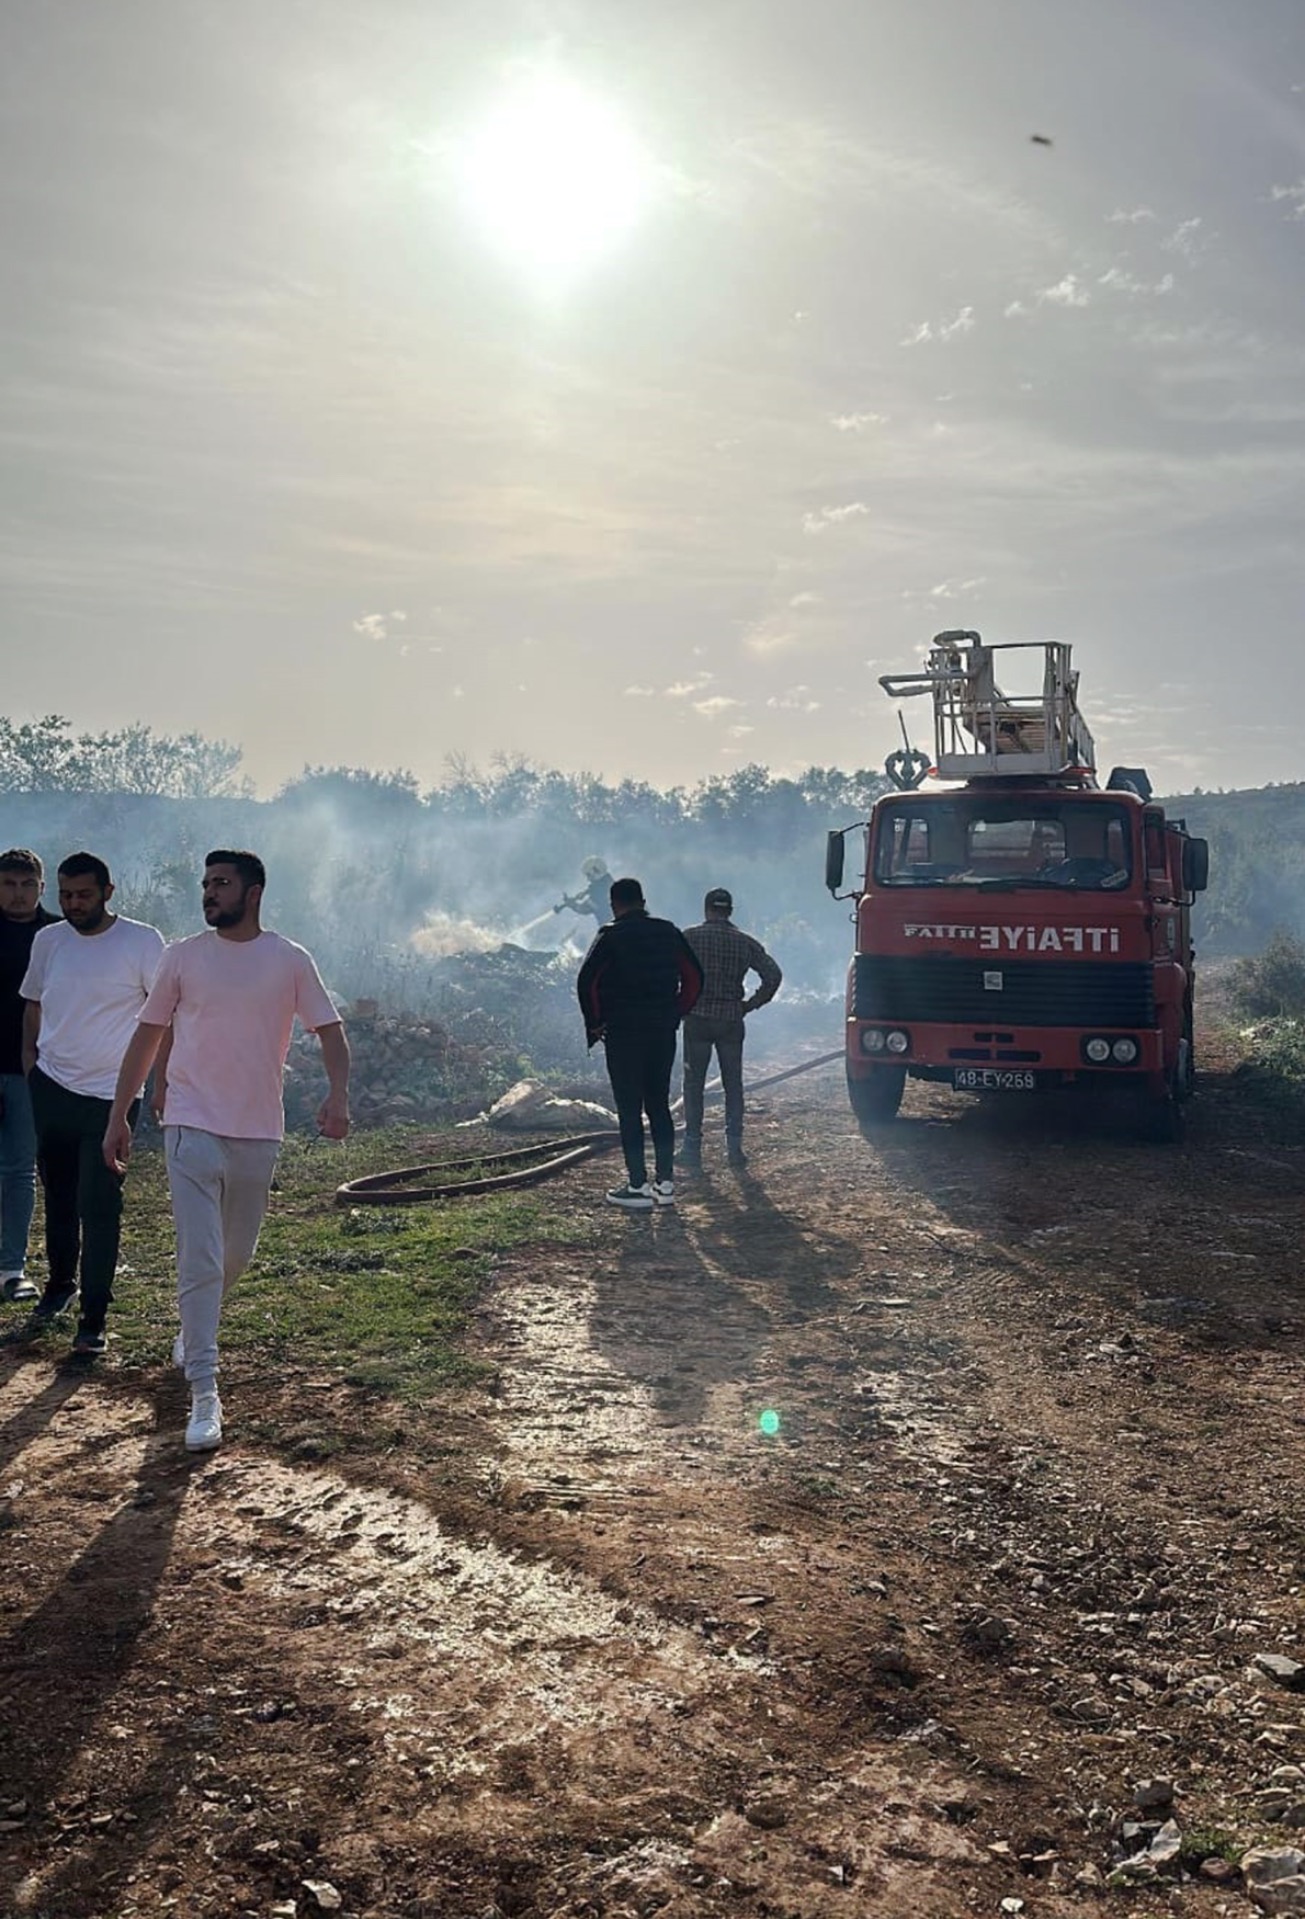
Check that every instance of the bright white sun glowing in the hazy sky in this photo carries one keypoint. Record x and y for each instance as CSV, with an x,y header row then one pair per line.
x,y
554,176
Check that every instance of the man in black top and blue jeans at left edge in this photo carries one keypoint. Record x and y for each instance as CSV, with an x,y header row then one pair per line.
x,y
22,918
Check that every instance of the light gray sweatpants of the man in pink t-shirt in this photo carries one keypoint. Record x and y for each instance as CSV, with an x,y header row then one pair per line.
x,y
220,1196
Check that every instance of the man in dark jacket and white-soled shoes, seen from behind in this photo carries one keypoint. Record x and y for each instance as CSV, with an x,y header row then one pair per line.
x,y
636,983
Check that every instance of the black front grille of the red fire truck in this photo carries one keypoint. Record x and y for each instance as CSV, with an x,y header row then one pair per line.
x,y
1064,993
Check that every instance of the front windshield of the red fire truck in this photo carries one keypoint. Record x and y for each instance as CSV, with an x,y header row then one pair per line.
x,y
1005,843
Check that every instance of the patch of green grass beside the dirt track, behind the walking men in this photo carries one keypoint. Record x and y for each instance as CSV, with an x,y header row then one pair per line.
x,y
375,1296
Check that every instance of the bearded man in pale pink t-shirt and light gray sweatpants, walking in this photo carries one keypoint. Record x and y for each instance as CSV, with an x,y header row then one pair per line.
x,y
231,999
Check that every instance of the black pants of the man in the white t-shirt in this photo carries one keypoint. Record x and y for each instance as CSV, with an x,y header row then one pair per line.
x,y
83,1196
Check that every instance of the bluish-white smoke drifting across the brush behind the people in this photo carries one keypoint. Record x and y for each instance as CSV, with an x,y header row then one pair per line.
x,y
387,888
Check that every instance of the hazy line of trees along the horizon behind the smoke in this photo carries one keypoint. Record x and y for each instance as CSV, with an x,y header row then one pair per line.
x,y
496,843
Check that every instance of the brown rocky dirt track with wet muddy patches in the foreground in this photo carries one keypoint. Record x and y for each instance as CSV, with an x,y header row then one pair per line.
x,y
594,1644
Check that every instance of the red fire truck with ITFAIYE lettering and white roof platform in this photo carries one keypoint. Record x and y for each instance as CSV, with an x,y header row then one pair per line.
x,y
1018,928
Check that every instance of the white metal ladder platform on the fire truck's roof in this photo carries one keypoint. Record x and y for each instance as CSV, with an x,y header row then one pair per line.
x,y
980,732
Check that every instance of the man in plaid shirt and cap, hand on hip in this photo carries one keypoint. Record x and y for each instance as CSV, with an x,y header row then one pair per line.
x,y
726,957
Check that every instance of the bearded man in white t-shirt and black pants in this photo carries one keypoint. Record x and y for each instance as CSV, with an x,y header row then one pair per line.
x,y
85,983
